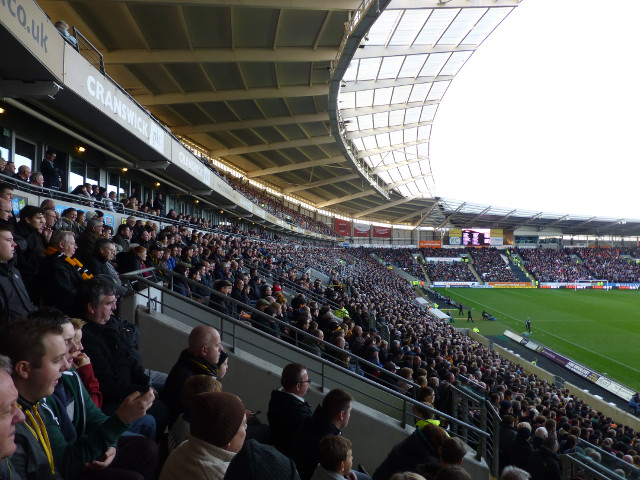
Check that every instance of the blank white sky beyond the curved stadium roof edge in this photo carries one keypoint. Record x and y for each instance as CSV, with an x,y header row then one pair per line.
x,y
545,115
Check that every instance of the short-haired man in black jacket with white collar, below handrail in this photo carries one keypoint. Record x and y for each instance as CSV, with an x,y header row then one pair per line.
x,y
287,407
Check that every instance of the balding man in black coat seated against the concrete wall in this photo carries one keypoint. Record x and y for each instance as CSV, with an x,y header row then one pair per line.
x,y
199,358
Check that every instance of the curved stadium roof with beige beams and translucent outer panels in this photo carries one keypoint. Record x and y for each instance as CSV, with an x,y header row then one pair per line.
x,y
267,85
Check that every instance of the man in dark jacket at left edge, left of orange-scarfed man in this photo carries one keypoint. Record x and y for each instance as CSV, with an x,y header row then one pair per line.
x,y
14,299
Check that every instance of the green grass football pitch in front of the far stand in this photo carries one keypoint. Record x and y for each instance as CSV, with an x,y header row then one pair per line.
x,y
600,329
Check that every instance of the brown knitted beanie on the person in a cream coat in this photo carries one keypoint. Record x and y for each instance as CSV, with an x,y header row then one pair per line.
x,y
216,417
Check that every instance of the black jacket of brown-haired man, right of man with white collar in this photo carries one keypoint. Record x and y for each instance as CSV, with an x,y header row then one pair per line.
x,y
305,443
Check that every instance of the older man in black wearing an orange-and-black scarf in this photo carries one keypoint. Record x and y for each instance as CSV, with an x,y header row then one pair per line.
x,y
61,274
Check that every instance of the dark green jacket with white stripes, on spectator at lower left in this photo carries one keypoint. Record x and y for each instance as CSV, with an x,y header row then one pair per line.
x,y
83,438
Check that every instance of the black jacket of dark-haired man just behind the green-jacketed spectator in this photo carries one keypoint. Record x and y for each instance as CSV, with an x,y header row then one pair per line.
x,y
116,363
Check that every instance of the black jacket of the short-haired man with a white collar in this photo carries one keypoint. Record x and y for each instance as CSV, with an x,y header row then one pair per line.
x,y
286,414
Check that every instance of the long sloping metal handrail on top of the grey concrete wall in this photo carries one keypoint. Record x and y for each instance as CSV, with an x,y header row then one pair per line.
x,y
326,365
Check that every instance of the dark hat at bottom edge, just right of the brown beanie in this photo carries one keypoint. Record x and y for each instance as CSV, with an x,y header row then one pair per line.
x,y
256,461
